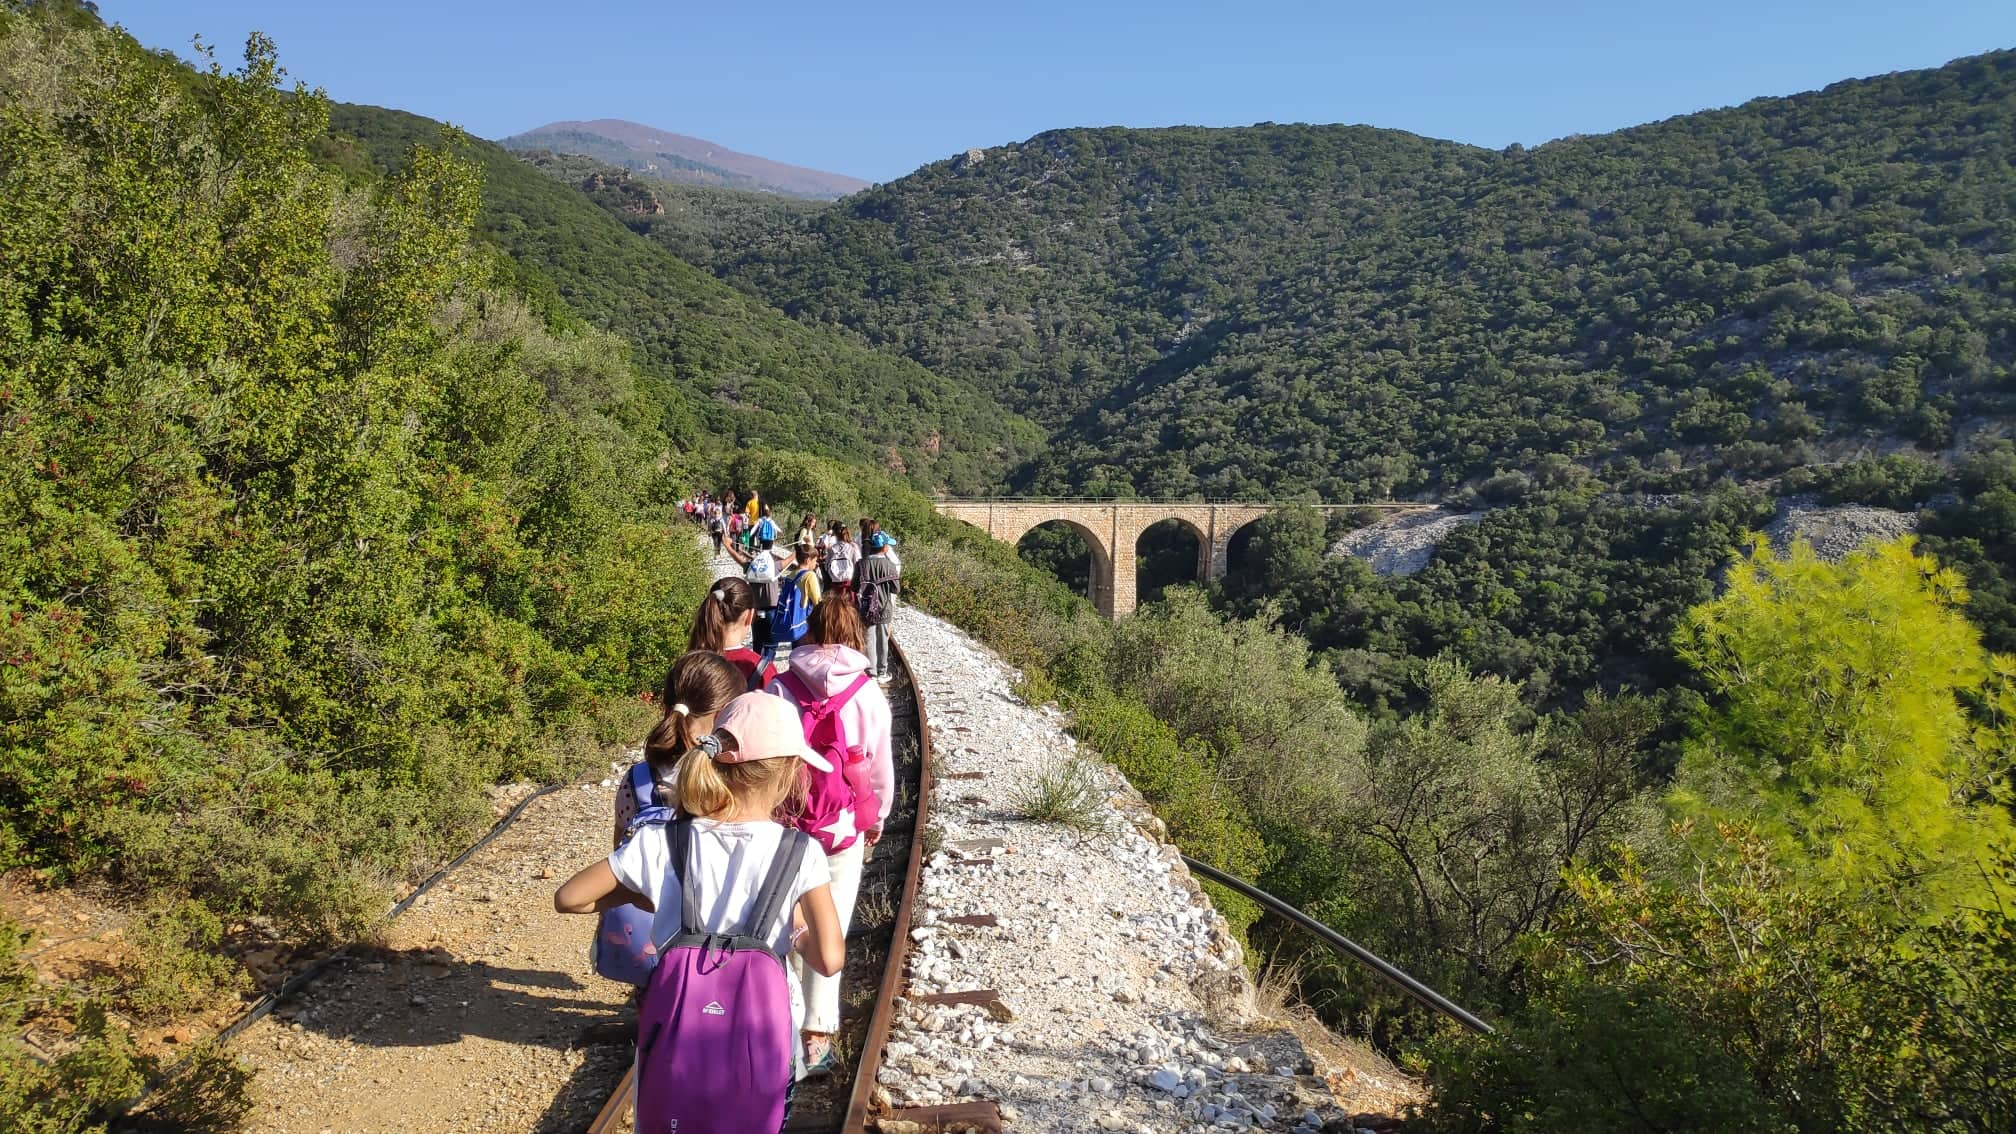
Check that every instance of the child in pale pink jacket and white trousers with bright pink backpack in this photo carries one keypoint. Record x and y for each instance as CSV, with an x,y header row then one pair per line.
x,y
842,707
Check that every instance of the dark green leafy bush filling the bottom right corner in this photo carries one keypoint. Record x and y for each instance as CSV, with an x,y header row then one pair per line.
x,y
1739,998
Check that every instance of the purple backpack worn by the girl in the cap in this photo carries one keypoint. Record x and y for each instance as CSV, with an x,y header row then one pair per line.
x,y
715,1032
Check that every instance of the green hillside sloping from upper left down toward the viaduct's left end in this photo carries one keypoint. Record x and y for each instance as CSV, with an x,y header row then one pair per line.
x,y
741,370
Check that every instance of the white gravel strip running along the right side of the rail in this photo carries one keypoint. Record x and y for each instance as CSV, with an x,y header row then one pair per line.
x,y
1122,998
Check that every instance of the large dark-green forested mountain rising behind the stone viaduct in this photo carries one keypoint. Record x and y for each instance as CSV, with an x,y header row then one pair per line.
x,y
1370,314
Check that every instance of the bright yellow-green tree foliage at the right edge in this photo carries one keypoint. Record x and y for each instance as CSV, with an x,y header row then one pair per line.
x,y
1838,719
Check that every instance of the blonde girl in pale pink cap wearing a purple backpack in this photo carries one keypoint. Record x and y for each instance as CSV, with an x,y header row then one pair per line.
x,y
719,1018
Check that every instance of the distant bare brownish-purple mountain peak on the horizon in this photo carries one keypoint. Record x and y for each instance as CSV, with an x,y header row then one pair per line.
x,y
680,158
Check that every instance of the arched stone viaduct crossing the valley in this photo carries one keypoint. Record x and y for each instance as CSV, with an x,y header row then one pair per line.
x,y
1114,528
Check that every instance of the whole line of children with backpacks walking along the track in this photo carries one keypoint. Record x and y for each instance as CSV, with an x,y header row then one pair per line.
x,y
743,832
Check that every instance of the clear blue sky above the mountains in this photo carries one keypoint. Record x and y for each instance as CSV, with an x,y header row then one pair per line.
x,y
876,90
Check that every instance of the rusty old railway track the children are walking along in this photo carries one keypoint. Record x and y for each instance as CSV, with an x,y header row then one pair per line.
x,y
876,943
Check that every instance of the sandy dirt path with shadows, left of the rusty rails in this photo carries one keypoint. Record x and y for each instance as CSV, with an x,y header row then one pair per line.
x,y
479,1014
